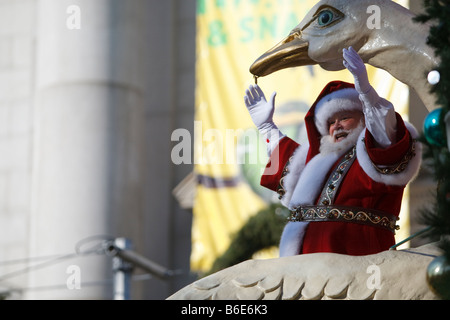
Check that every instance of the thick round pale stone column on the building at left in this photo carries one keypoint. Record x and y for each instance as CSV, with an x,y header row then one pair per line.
x,y
88,148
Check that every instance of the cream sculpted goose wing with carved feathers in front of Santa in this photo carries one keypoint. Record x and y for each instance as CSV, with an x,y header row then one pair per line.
x,y
398,275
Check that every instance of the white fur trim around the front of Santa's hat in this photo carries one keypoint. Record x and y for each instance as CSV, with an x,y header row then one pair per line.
x,y
340,100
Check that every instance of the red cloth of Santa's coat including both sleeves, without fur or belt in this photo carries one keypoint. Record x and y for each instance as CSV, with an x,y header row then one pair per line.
x,y
361,187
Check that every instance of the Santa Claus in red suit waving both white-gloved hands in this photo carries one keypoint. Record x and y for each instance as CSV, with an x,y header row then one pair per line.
x,y
344,187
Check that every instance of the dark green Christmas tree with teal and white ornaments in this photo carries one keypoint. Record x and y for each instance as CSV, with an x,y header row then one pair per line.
x,y
434,137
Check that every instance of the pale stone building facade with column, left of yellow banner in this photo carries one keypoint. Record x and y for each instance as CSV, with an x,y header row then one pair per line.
x,y
91,92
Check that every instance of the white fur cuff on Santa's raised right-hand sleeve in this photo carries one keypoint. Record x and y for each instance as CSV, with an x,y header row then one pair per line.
x,y
398,179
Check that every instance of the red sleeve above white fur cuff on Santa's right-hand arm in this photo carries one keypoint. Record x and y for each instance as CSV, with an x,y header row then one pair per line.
x,y
395,152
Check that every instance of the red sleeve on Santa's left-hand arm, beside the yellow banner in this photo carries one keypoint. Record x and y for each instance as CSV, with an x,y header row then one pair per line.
x,y
277,161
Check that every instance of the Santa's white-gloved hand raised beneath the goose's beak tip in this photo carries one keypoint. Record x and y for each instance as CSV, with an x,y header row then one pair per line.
x,y
261,111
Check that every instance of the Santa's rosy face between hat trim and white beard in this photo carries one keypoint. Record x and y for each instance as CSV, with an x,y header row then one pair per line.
x,y
342,123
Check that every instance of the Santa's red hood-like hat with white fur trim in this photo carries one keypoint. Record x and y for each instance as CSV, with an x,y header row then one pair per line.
x,y
335,96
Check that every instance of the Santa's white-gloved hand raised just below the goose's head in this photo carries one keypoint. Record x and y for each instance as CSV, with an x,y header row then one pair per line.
x,y
354,64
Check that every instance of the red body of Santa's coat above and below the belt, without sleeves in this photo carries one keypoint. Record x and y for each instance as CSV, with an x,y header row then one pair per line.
x,y
357,190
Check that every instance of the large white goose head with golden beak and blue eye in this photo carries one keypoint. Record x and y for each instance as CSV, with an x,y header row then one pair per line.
x,y
397,44
